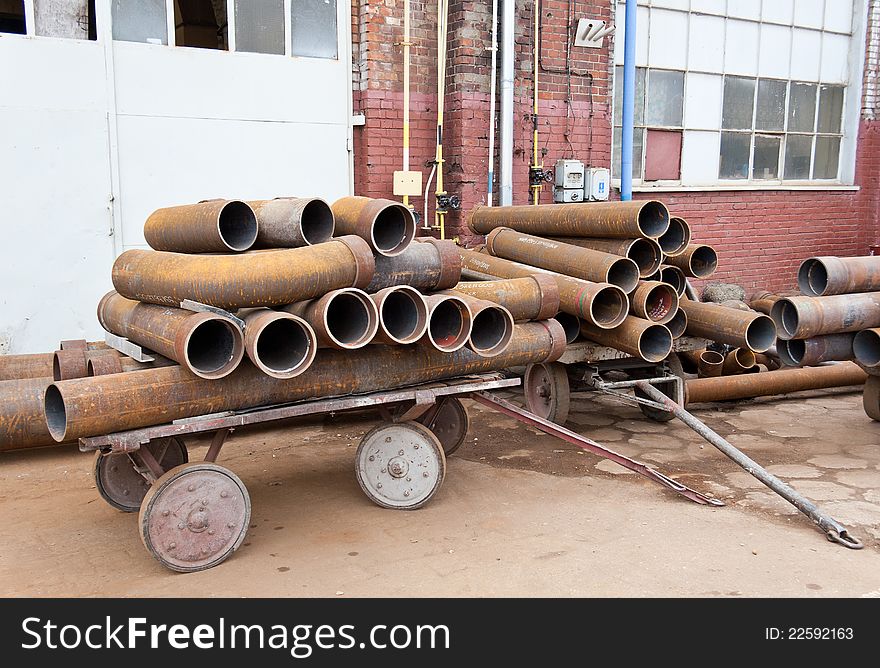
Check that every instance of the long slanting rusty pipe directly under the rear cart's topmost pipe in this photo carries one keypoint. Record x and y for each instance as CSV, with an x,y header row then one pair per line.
x,y
583,263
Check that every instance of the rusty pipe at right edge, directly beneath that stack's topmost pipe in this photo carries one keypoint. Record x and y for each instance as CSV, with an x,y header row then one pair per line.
x,y
806,317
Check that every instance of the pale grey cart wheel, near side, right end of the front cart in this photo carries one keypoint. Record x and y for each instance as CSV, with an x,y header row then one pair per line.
x,y
400,466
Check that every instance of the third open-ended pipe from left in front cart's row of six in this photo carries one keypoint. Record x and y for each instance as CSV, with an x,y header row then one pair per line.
x,y
346,318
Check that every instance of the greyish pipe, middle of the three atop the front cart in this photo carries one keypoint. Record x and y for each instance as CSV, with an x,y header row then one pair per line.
x,y
291,222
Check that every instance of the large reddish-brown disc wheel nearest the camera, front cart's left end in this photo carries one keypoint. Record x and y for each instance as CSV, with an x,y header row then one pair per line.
x,y
195,516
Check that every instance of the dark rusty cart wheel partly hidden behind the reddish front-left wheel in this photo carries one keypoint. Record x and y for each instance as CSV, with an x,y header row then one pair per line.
x,y
119,483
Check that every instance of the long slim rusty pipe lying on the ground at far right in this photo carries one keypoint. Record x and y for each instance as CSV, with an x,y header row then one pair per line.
x,y
783,381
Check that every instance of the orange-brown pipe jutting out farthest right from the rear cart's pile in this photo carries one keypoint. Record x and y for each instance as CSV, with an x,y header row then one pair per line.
x,y
740,329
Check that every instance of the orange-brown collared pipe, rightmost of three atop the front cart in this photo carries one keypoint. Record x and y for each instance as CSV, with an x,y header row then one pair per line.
x,y
388,226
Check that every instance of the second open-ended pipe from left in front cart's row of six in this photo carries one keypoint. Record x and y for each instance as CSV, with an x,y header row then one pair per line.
x,y
279,344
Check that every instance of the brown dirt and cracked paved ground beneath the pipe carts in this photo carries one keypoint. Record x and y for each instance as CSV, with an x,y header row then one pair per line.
x,y
519,514
